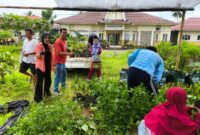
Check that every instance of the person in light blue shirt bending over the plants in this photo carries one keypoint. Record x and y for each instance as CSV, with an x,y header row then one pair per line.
x,y
145,67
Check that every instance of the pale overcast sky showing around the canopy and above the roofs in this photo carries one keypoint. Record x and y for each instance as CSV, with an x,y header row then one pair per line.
x,y
61,14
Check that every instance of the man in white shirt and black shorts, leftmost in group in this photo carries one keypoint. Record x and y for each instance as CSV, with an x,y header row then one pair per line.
x,y
28,55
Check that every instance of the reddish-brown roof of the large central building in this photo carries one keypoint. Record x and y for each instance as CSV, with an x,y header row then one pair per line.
x,y
131,18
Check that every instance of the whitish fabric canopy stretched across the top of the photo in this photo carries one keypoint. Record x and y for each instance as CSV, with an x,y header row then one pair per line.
x,y
127,4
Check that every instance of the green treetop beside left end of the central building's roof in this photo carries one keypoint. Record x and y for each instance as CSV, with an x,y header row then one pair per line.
x,y
48,15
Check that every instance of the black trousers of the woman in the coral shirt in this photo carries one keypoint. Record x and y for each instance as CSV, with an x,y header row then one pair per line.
x,y
43,81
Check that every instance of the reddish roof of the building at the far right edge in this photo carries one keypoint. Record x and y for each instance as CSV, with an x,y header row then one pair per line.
x,y
191,24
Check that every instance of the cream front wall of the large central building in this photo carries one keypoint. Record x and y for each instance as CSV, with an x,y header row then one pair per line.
x,y
130,29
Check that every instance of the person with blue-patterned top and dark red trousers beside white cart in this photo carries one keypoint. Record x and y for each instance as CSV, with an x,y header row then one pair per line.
x,y
95,51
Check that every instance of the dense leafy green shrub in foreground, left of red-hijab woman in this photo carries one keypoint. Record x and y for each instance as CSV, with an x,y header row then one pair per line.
x,y
118,109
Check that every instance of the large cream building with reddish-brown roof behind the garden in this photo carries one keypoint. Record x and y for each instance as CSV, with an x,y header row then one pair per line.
x,y
124,27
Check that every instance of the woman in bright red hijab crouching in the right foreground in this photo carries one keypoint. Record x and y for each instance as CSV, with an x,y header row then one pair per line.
x,y
170,117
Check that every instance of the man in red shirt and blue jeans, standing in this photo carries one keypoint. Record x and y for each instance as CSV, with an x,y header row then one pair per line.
x,y
60,57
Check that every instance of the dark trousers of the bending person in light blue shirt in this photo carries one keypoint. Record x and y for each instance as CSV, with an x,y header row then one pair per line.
x,y
137,77
